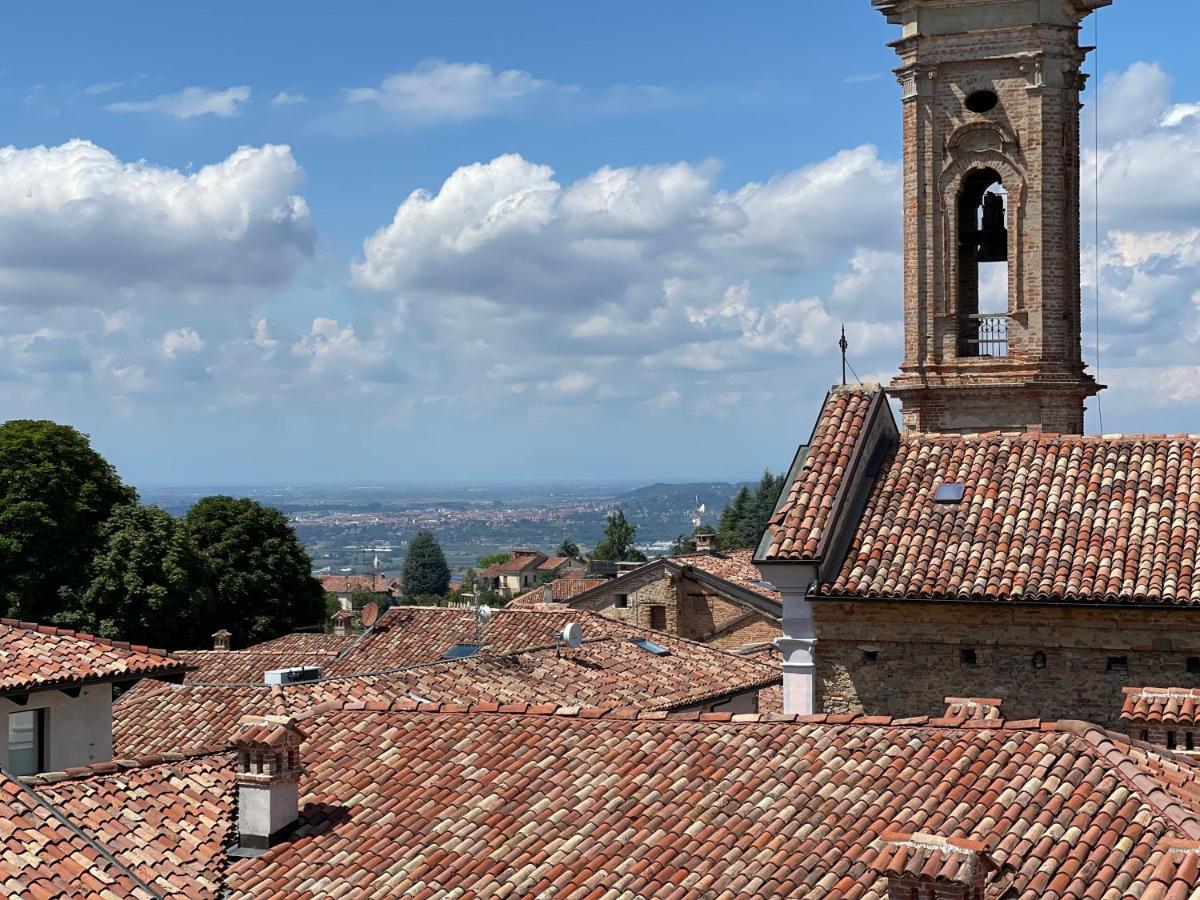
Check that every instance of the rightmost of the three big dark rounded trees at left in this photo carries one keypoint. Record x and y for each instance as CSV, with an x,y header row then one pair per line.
x,y
262,575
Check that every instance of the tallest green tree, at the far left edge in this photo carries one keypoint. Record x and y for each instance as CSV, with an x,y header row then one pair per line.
x,y
56,494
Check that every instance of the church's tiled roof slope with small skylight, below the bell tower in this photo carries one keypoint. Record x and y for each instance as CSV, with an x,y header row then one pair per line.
x,y
1045,519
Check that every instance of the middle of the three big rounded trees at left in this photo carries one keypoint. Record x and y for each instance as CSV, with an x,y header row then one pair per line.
x,y
148,584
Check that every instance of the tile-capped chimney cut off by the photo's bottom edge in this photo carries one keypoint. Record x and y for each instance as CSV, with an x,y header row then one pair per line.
x,y
927,866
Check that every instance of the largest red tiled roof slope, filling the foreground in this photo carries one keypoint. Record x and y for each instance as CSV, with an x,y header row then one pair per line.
x,y
691,809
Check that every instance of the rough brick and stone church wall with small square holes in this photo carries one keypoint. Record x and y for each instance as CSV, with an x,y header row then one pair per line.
x,y
1048,663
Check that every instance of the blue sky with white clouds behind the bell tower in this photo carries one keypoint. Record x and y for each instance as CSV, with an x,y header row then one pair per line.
x,y
644,226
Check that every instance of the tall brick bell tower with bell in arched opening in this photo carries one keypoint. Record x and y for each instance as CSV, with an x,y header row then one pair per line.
x,y
991,93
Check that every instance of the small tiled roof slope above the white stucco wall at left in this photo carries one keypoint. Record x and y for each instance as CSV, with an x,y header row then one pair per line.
x,y
34,657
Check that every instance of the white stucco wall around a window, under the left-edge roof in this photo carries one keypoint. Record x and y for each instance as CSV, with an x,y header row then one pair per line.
x,y
79,730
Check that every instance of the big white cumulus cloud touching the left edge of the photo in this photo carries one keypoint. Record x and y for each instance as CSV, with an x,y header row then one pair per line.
x,y
80,225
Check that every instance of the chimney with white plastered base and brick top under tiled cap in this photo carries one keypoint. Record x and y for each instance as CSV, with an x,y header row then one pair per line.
x,y
268,781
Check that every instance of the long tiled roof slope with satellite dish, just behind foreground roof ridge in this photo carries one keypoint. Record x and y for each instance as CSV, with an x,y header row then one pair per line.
x,y
607,670
